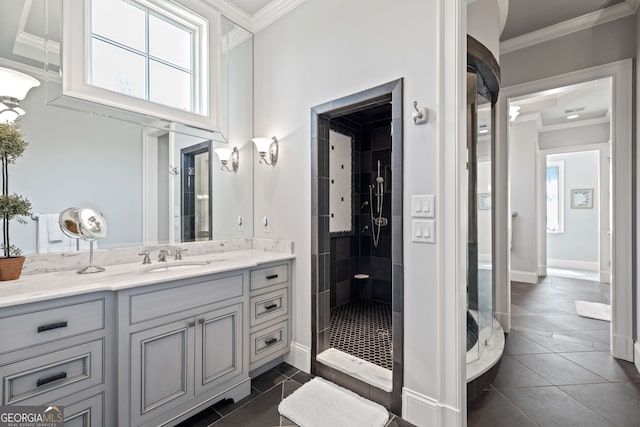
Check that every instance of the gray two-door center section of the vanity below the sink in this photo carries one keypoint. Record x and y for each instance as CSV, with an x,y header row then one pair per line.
x,y
181,345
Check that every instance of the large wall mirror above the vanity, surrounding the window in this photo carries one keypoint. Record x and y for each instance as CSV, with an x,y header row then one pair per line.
x,y
128,168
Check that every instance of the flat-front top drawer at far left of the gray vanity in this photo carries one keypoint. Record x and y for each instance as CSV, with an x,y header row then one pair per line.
x,y
53,324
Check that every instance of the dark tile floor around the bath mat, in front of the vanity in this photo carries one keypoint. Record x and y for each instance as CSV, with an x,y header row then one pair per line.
x,y
260,408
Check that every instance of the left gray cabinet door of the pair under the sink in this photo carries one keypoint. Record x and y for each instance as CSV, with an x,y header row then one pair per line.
x,y
161,369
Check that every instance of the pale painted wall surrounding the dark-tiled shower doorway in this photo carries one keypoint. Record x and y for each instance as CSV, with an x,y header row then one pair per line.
x,y
327,49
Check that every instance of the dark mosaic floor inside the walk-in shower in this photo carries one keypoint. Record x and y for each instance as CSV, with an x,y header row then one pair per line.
x,y
362,328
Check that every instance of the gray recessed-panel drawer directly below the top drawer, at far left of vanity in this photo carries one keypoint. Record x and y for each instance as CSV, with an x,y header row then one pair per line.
x,y
47,378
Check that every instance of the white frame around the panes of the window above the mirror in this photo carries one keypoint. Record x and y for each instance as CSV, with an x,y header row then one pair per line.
x,y
76,42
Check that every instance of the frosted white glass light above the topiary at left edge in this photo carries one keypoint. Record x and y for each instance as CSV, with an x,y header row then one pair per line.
x,y
14,86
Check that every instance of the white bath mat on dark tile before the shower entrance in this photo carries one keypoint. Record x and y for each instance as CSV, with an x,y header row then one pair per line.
x,y
320,403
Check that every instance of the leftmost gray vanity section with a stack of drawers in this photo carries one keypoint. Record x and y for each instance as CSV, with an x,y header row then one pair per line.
x,y
61,352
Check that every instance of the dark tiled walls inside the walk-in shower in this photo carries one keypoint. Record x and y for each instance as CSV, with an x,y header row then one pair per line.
x,y
372,142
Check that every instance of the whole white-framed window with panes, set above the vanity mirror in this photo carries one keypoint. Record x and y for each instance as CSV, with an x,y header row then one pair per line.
x,y
154,57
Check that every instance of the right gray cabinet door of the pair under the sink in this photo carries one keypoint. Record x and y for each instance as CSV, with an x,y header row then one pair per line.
x,y
219,347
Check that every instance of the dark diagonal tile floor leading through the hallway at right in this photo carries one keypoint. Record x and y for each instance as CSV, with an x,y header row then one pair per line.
x,y
556,369
